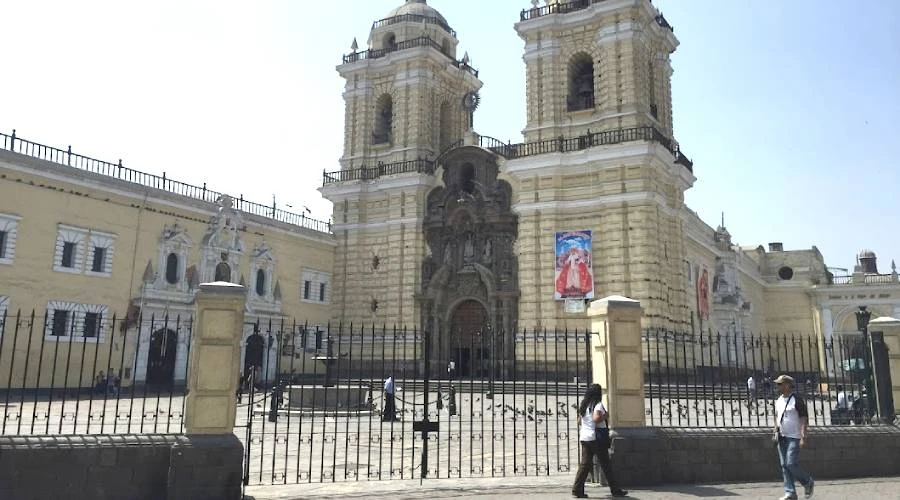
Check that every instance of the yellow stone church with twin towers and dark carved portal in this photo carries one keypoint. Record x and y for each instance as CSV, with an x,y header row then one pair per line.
x,y
458,233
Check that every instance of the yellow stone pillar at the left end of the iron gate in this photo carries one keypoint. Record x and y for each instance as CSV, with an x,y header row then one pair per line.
x,y
215,359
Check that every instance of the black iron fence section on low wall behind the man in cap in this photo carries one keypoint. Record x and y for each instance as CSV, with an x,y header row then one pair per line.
x,y
718,380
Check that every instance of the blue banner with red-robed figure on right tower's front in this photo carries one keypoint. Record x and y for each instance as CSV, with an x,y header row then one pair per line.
x,y
574,272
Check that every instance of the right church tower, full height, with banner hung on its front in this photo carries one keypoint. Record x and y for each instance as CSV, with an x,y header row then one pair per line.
x,y
600,156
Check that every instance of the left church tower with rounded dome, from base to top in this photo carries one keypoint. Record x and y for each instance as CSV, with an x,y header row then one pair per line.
x,y
403,98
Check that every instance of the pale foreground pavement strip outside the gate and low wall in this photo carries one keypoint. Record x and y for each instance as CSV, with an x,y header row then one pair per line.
x,y
558,487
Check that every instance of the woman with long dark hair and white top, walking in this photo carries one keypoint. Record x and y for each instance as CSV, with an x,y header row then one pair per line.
x,y
593,432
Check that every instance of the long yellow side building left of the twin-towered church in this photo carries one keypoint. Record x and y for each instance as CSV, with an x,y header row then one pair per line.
x,y
108,260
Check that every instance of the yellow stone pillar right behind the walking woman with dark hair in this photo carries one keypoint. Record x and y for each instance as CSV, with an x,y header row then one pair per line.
x,y
617,359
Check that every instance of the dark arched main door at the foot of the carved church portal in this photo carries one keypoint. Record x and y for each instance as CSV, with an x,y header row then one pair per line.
x,y
466,344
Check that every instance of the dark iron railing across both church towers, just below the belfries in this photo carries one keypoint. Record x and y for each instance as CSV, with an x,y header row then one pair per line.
x,y
521,150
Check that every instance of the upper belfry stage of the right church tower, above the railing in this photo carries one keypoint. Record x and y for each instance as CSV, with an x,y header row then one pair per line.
x,y
596,66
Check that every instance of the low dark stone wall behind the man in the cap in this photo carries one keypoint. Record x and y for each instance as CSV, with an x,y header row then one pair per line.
x,y
653,456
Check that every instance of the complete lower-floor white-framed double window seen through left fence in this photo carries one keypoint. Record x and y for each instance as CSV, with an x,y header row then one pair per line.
x,y
70,321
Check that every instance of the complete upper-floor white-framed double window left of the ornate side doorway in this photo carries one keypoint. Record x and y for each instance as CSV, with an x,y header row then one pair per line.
x,y
80,250
